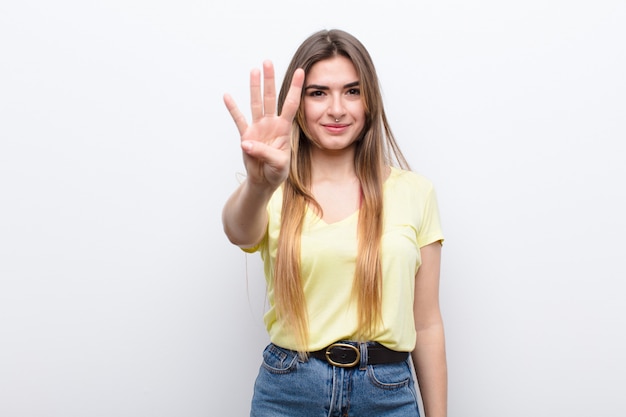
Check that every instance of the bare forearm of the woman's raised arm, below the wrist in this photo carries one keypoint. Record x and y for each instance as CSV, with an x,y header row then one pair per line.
x,y
245,216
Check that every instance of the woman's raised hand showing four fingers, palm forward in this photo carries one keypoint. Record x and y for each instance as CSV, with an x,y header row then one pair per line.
x,y
266,142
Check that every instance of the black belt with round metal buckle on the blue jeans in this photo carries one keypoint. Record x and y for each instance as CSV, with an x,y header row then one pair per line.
x,y
347,355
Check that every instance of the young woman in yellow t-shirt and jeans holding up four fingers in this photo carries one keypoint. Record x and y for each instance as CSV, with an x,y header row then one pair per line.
x,y
350,239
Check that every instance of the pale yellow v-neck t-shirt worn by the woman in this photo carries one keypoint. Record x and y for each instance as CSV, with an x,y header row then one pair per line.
x,y
328,256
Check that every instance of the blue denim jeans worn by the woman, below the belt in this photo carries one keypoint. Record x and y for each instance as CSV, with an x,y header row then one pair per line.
x,y
290,387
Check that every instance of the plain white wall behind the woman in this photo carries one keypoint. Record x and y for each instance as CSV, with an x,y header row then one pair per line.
x,y
120,295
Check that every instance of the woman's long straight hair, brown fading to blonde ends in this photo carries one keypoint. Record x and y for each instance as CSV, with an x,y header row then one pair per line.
x,y
375,150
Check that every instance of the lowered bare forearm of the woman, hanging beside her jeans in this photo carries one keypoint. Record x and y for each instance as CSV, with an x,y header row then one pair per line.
x,y
429,358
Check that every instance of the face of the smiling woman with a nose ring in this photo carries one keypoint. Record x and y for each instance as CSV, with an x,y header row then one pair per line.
x,y
333,109
